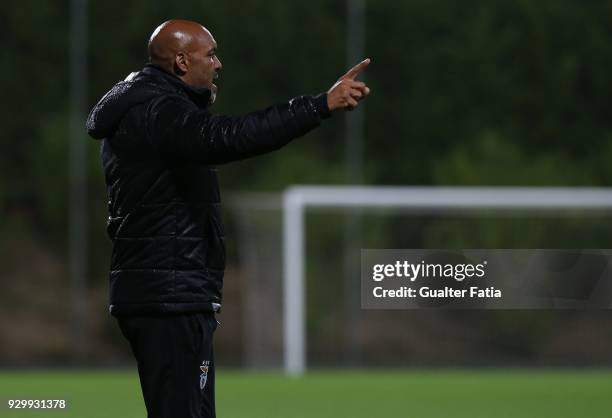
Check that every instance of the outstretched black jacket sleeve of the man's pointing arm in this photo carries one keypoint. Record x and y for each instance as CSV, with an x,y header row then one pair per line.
x,y
183,132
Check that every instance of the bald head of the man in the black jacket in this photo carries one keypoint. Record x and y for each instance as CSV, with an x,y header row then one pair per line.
x,y
186,49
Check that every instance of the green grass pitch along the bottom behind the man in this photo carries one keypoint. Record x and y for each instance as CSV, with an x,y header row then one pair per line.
x,y
418,394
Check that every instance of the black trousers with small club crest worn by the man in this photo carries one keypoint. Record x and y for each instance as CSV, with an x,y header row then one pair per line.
x,y
175,360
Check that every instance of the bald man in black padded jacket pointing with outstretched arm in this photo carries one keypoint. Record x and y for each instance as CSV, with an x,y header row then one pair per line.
x,y
160,145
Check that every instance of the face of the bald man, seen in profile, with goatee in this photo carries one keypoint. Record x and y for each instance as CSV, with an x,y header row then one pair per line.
x,y
204,65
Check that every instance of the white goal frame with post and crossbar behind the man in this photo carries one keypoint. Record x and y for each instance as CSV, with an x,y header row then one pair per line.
x,y
297,199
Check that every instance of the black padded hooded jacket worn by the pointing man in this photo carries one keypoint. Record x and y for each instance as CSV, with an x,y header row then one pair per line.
x,y
160,146
